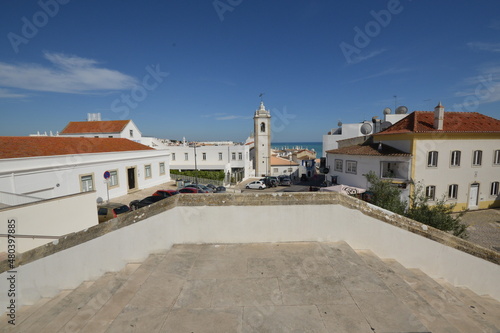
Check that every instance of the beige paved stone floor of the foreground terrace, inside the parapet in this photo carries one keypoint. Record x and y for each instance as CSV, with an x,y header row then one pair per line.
x,y
268,287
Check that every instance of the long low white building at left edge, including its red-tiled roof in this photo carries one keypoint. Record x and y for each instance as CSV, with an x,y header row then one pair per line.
x,y
48,167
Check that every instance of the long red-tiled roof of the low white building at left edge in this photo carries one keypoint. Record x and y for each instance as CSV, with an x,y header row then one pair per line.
x,y
31,146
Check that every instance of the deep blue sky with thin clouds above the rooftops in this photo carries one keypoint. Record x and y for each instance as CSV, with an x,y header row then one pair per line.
x,y
196,68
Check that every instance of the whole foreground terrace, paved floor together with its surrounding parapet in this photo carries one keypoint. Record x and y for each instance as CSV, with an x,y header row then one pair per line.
x,y
257,263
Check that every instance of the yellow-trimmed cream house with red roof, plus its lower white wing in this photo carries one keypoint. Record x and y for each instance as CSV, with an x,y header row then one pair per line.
x,y
455,155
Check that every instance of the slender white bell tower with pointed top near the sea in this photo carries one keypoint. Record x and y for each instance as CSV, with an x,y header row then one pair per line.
x,y
262,138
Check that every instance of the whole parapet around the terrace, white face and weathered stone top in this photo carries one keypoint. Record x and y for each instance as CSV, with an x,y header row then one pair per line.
x,y
252,218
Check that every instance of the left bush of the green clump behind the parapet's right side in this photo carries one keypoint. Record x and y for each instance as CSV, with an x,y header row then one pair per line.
x,y
385,194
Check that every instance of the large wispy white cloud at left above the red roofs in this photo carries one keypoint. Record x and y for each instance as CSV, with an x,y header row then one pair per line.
x,y
68,74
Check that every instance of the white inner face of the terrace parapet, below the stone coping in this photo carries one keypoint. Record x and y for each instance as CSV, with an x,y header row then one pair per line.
x,y
250,224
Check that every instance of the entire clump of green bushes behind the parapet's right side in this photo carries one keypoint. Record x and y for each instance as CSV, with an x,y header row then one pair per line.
x,y
439,215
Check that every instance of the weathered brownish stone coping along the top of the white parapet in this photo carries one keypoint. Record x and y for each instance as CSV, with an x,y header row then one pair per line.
x,y
254,199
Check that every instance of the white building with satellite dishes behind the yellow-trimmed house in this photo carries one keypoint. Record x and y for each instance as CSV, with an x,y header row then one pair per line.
x,y
363,129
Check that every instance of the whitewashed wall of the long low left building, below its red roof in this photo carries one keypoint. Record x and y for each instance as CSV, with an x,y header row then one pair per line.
x,y
55,176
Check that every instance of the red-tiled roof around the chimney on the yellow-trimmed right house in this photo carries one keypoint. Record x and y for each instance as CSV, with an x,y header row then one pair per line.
x,y
423,122
